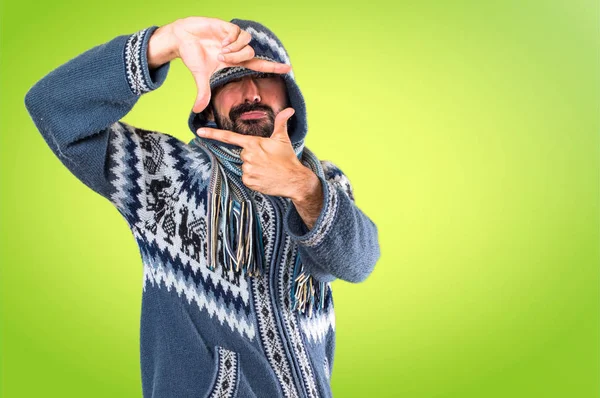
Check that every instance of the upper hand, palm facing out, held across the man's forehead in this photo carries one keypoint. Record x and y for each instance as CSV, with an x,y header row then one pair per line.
x,y
206,45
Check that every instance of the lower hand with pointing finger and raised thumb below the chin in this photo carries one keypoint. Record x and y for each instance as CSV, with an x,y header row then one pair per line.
x,y
270,165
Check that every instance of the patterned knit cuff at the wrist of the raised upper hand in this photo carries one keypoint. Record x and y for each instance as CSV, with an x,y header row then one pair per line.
x,y
139,77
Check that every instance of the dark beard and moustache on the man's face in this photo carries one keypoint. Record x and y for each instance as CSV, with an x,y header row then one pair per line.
x,y
262,127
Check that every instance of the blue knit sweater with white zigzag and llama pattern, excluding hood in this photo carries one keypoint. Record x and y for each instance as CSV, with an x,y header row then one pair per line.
x,y
203,332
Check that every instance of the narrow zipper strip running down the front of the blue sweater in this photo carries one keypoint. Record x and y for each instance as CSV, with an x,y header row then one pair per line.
x,y
272,274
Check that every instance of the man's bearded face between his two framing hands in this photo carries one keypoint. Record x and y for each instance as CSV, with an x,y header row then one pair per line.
x,y
248,105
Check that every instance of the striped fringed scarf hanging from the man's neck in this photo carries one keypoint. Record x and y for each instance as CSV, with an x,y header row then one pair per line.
x,y
232,212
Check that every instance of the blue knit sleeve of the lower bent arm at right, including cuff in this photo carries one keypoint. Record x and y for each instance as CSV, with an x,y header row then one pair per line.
x,y
343,243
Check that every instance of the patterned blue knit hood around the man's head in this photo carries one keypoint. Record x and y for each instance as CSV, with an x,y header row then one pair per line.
x,y
266,46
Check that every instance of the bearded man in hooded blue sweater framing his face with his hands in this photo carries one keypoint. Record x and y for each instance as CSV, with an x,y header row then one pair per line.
x,y
241,231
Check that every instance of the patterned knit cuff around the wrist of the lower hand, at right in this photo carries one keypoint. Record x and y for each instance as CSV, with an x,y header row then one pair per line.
x,y
297,229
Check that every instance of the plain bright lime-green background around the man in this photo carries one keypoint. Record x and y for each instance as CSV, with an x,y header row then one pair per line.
x,y
469,131
